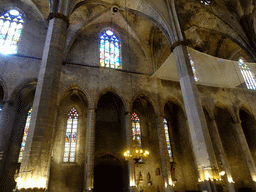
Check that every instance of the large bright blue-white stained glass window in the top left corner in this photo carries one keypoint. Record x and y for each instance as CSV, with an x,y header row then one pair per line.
x,y
11,23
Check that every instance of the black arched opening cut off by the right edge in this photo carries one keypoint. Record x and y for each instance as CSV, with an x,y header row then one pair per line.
x,y
249,128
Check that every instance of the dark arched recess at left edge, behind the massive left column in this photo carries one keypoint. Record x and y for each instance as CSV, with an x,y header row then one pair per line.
x,y
16,121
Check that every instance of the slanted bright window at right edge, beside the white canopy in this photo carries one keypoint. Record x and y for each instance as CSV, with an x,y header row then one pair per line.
x,y
248,76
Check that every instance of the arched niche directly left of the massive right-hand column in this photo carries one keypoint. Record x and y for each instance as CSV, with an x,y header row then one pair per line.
x,y
183,165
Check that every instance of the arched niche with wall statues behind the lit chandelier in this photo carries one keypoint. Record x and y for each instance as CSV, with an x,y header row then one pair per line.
x,y
145,171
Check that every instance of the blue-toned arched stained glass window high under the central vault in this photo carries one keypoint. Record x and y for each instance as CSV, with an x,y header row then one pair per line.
x,y
110,50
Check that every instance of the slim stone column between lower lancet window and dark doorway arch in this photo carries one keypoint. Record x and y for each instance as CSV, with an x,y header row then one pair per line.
x,y
90,151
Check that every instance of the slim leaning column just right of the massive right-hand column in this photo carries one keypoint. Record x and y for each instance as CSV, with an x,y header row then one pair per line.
x,y
223,158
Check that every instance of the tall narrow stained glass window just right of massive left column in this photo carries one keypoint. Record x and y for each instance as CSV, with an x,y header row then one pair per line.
x,y
71,136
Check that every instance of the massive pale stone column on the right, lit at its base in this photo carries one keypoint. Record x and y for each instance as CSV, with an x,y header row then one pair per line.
x,y
200,138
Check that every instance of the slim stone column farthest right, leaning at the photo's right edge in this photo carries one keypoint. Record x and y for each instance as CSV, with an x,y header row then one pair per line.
x,y
246,150
